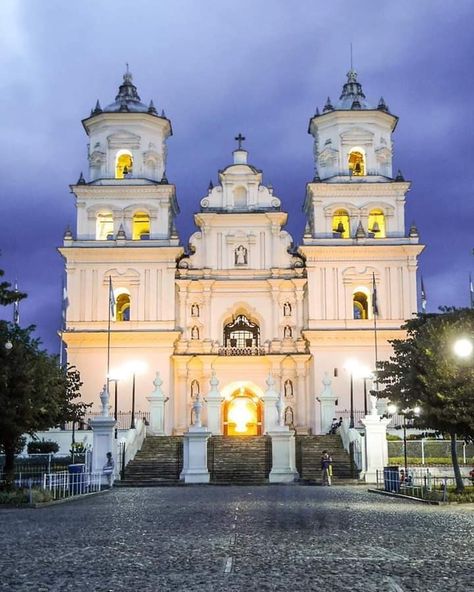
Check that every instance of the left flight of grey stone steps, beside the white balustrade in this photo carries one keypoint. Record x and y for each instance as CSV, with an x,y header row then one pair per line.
x,y
159,462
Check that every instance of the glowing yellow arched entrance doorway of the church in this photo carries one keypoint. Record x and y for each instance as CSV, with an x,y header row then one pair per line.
x,y
243,414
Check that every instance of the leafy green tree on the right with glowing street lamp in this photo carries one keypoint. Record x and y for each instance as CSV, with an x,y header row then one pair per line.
x,y
424,371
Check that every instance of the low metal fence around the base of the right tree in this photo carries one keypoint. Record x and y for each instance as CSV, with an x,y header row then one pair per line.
x,y
418,483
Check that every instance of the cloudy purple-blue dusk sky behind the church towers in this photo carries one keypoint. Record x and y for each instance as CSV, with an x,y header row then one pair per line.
x,y
219,67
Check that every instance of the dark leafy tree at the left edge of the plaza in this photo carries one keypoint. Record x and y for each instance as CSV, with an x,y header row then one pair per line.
x,y
35,393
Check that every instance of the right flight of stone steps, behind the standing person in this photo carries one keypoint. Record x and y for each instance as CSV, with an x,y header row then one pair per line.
x,y
308,459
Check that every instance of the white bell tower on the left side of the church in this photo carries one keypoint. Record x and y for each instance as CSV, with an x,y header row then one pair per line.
x,y
125,236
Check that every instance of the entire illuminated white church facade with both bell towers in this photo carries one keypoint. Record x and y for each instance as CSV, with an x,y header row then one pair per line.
x,y
241,301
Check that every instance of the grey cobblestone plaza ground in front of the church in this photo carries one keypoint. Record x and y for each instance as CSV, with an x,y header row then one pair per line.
x,y
238,538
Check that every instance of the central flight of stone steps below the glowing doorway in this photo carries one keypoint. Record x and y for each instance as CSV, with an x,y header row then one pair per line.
x,y
239,460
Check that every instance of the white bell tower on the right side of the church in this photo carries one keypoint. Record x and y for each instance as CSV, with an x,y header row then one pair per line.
x,y
356,243
